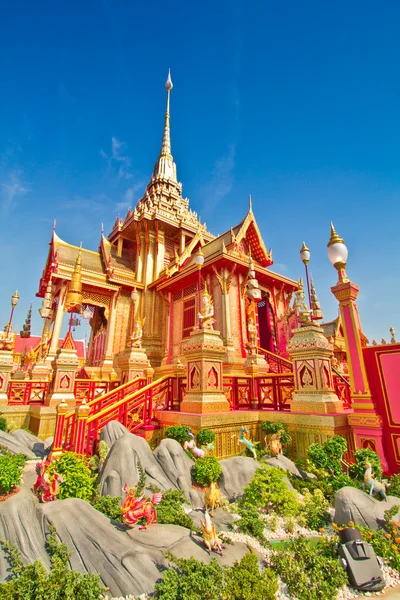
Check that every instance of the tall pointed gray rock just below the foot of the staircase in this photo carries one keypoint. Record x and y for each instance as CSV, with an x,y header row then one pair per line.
x,y
121,466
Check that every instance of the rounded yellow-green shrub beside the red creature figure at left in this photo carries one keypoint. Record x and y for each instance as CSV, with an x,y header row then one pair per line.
x,y
77,479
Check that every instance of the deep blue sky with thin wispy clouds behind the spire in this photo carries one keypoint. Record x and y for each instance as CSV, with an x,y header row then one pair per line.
x,y
295,103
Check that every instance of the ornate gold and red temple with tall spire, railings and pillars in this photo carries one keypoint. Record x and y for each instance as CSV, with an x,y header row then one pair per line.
x,y
193,329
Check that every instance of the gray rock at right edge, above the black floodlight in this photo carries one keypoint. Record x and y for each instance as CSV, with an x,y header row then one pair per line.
x,y
355,505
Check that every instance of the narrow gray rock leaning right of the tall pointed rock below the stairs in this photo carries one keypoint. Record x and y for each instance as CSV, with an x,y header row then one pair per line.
x,y
177,466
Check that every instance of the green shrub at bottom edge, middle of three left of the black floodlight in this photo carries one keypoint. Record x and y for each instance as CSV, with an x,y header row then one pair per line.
x,y
243,581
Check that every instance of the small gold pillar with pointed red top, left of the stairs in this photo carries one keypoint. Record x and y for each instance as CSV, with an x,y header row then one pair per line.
x,y
64,367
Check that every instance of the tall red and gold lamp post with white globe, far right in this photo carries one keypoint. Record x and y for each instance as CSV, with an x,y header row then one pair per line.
x,y
365,422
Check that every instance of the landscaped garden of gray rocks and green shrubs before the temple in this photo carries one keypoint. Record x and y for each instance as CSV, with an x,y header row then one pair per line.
x,y
279,522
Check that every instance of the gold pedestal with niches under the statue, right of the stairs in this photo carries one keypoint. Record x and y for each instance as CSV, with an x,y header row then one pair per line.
x,y
204,352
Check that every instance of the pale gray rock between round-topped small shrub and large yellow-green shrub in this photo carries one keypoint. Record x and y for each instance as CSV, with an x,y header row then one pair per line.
x,y
237,473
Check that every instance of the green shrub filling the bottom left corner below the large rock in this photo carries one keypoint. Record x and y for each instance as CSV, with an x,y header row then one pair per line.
x,y
33,582
